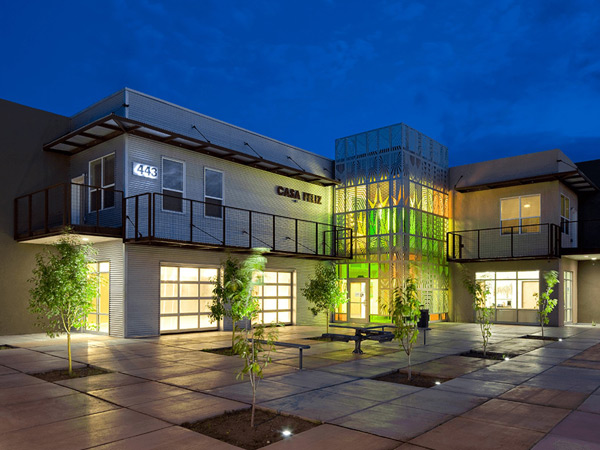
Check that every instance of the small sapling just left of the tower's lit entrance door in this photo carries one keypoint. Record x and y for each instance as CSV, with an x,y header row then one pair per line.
x,y
324,292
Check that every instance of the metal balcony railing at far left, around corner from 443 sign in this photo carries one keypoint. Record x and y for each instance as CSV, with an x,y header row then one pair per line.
x,y
85,209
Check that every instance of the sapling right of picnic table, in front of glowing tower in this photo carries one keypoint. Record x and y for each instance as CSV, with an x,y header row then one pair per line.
x,y
405,310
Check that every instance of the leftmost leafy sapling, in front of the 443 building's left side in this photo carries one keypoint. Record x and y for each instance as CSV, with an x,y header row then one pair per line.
x,y
64,288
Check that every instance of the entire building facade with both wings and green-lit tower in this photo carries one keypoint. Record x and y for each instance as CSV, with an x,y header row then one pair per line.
x,y
165,194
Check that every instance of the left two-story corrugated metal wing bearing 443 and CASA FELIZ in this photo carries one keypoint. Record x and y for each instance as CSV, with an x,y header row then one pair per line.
x,y
161,192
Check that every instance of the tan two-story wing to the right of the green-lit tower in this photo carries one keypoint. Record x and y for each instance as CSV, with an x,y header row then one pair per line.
x,y
516,218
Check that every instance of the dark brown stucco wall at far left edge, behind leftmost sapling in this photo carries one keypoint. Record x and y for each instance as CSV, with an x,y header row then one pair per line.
x,y
25,168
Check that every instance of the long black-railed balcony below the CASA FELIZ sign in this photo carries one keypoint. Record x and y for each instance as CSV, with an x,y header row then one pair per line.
x,y
162,219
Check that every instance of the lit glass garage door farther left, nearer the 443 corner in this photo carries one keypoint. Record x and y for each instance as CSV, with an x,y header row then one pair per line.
x,y
185,294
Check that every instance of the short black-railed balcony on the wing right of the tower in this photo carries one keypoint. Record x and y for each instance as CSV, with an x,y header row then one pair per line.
x,y
538,241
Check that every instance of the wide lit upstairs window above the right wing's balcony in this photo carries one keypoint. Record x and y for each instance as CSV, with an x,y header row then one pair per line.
x,y
520,214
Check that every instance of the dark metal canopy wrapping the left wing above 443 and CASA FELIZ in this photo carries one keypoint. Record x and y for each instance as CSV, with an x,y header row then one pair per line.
x,y
112,126
